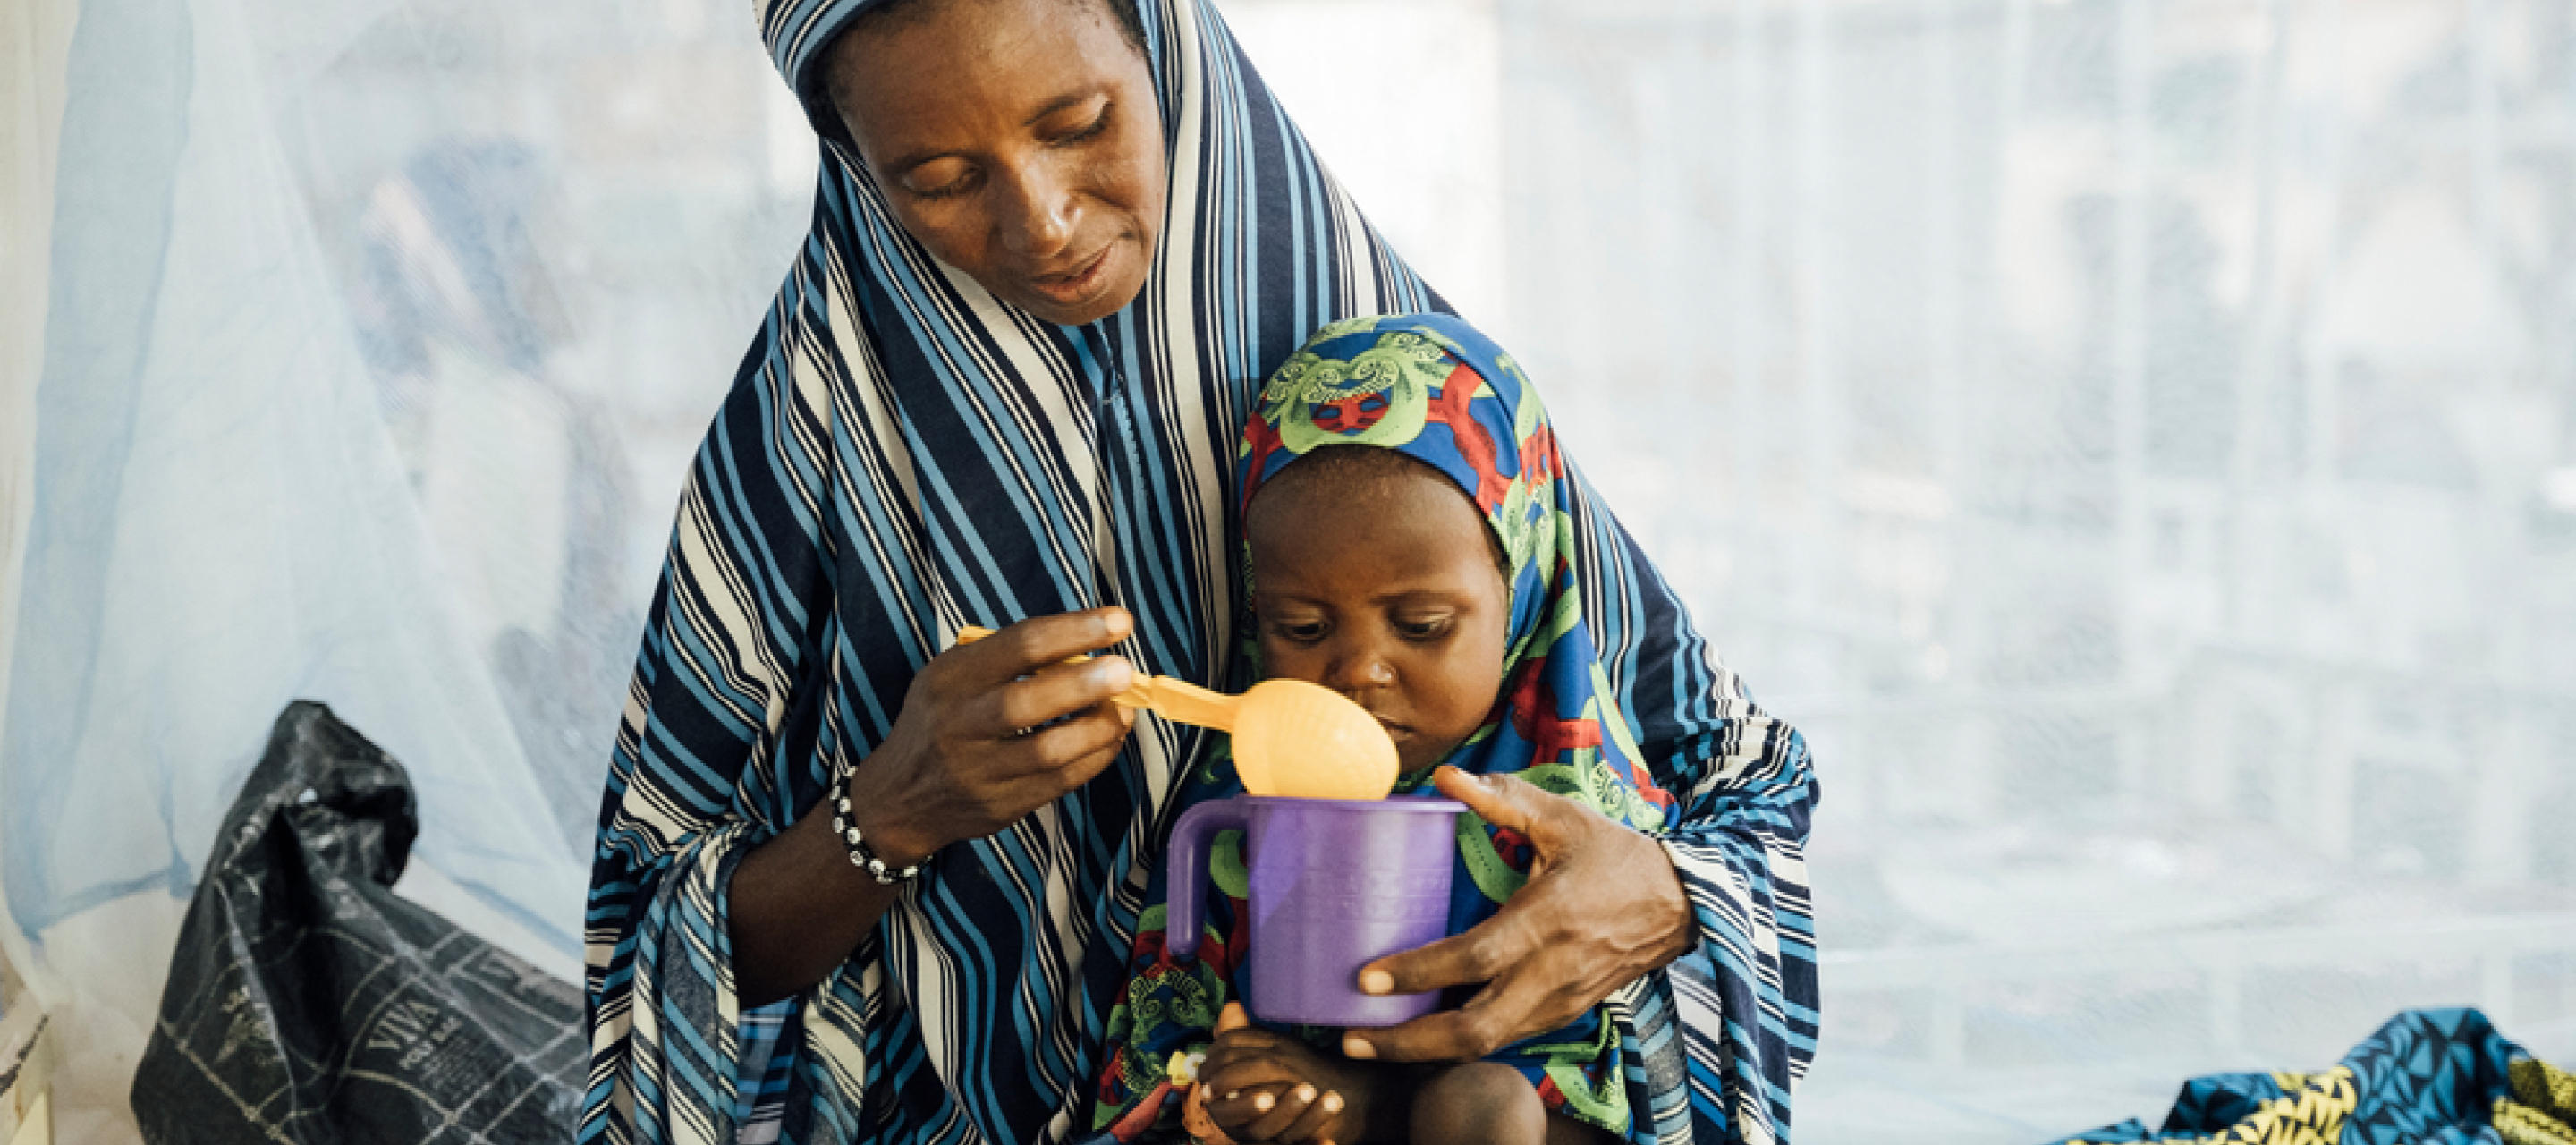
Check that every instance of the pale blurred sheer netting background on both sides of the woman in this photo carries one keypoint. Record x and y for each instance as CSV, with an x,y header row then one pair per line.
x,y
2137,440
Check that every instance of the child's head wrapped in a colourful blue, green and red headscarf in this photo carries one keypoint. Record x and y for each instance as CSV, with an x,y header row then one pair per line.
x,y
1421,545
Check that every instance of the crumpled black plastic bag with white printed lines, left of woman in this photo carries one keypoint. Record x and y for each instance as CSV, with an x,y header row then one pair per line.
x,y
310,1004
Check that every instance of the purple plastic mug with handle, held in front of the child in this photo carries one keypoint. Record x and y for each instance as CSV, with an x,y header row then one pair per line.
x,y
1336,886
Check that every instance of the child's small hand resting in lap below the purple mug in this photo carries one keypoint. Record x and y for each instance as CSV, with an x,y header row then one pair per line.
x,y
1274,1090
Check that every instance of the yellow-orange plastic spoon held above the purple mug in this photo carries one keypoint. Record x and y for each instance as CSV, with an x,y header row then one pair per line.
x,y
1289,736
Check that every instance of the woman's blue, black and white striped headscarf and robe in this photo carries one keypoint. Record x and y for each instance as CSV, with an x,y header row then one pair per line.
x,y
905,455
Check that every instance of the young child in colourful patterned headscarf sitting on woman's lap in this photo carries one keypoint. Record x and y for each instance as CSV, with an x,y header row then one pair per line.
x,y
1410,543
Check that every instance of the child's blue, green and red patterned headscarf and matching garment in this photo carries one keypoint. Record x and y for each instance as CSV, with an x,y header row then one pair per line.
x,y
1436,391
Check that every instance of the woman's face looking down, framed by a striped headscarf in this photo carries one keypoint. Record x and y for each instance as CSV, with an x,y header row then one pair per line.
x,y
1019,141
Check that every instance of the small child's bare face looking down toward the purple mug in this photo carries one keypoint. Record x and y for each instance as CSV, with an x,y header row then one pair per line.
x,y
1385,592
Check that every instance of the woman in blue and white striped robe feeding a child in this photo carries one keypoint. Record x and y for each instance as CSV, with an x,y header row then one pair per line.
x,y
1055,251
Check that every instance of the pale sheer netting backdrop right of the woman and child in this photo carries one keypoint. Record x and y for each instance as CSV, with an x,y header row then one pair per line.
x,y
2134,440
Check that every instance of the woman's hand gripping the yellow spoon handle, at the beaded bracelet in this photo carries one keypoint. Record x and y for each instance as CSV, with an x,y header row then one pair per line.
x,y
996,731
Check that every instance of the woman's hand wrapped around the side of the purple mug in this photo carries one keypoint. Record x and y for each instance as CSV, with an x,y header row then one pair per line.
x,y
1601,909
